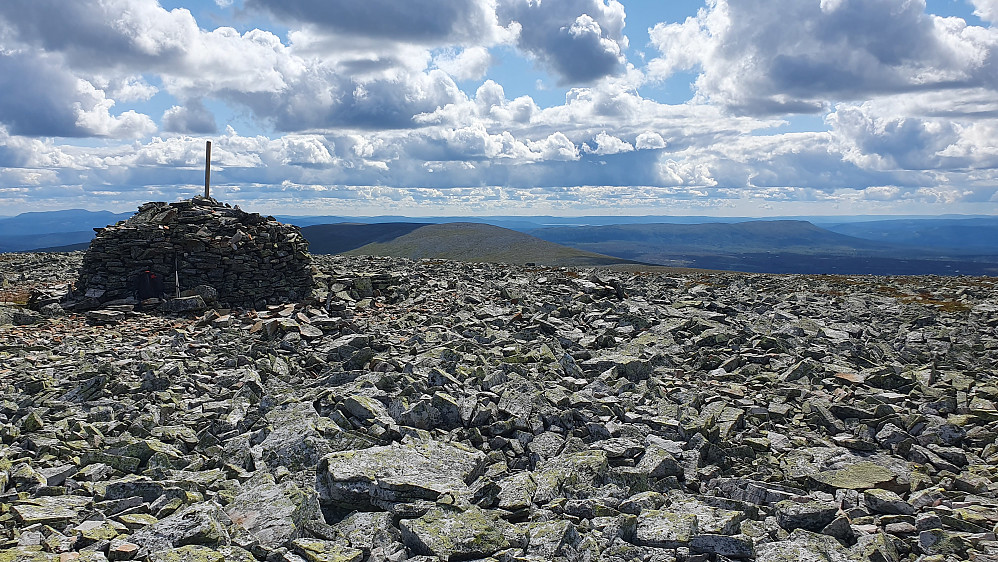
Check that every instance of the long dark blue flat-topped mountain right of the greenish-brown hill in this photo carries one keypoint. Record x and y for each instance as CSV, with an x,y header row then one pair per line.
x,y
765,247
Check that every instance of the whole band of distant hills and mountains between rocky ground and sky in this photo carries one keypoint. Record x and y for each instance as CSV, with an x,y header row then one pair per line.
x,y
885,245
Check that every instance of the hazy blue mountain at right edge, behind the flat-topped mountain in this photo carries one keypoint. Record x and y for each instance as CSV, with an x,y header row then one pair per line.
x,y
962,236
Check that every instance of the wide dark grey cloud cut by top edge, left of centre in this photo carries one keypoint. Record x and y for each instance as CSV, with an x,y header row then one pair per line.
x,y
416,21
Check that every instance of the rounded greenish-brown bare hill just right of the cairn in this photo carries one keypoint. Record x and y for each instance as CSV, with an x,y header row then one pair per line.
x,y
481,243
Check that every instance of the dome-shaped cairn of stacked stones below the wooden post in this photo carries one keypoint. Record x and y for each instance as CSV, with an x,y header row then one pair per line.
x,y
215,252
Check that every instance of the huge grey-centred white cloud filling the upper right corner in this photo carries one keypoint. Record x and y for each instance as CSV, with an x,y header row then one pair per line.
x,y
798,57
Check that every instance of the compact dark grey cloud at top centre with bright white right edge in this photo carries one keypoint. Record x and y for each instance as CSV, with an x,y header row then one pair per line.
x,y
579,40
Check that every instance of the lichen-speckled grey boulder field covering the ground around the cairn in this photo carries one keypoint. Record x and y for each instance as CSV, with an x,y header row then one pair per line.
x,y
454,411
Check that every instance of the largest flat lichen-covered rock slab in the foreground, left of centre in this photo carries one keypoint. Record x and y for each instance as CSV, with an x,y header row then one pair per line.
x,y
397,473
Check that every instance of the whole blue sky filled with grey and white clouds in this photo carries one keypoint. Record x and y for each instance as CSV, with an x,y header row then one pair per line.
x,y
503,107
